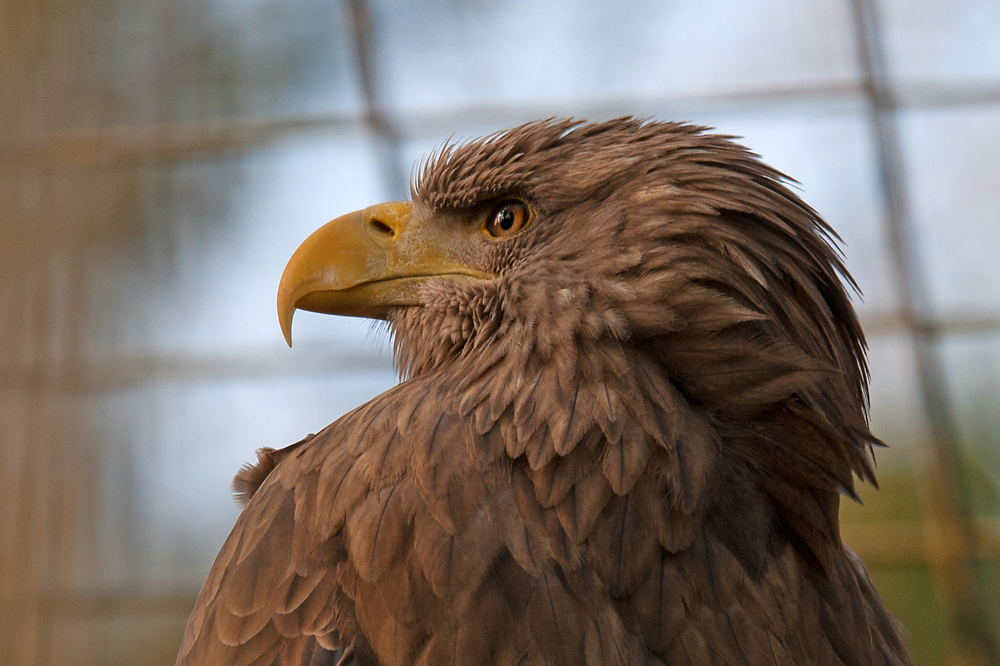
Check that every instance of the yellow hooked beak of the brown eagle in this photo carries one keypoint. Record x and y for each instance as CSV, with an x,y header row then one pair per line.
x,y
364,263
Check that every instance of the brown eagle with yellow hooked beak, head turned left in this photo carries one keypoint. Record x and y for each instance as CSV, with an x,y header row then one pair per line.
x,y
633,389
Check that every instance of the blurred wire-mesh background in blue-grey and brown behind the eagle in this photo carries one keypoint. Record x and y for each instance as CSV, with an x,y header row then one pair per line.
x,y
160,160
